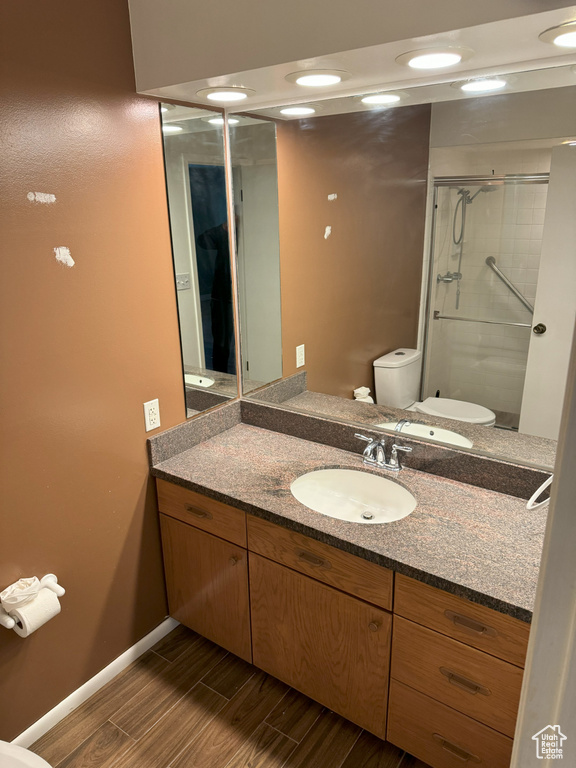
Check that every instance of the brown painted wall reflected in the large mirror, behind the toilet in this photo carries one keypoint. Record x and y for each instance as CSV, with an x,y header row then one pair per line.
x,y
355,295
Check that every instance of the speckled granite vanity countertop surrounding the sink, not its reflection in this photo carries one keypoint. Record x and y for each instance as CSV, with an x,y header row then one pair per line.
x,y
475,543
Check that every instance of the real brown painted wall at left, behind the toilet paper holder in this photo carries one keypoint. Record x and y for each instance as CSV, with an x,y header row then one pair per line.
x,y
81,348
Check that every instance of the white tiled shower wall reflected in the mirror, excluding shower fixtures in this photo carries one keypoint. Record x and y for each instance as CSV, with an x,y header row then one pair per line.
x,y
485,363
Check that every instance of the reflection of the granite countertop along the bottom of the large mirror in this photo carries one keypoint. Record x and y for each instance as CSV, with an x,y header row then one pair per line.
x,y
527,449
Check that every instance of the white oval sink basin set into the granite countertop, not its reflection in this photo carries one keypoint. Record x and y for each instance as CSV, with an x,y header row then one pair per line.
x,y
358,497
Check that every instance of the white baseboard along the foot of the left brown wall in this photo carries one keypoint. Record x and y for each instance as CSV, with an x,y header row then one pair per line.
x,y
79,696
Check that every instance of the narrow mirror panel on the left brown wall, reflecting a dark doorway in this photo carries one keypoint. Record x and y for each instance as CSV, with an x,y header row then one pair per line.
x,y
194,157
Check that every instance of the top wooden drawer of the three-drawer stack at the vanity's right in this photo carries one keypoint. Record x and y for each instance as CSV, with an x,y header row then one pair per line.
x,y
473,624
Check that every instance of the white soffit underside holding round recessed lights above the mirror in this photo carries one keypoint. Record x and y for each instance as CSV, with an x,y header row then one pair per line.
x,y
502,47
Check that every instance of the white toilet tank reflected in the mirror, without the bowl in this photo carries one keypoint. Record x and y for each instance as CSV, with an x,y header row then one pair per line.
x,y
397,378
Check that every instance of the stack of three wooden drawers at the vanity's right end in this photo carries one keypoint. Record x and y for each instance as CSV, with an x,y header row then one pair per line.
x,y
454,692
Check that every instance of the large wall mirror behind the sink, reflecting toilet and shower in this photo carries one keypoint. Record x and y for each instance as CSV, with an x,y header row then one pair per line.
x,y
439,223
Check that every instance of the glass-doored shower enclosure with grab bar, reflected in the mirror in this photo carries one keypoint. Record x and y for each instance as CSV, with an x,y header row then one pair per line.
x,y
485,256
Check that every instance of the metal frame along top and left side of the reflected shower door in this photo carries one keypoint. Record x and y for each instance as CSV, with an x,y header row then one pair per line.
x,y
458,181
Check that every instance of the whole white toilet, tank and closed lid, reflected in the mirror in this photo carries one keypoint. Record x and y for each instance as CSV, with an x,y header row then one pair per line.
x,y
397,383
